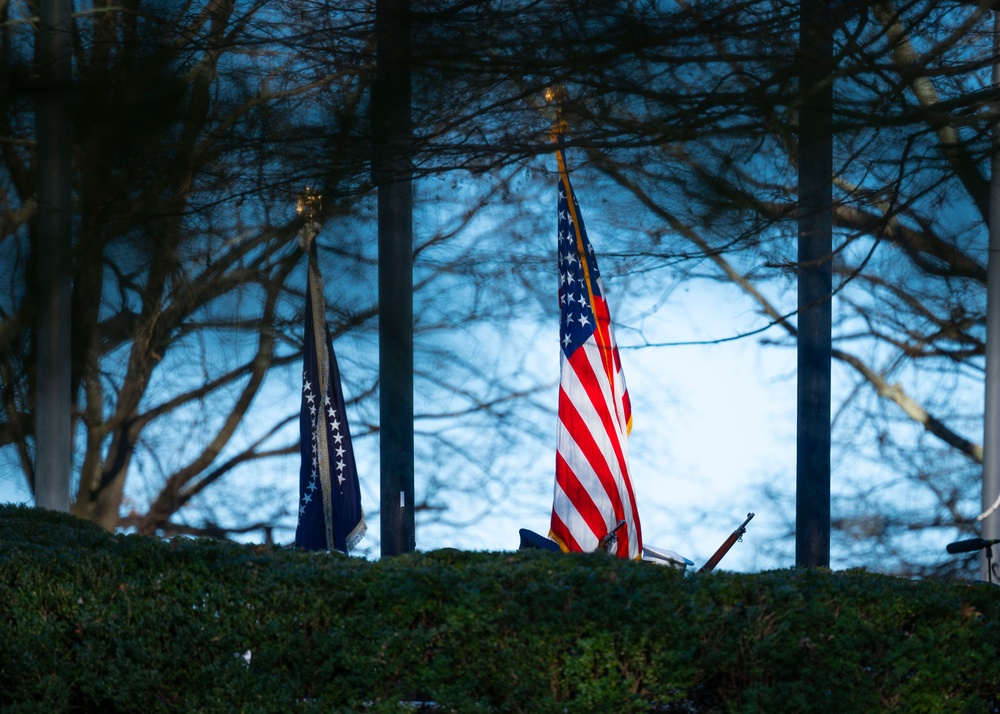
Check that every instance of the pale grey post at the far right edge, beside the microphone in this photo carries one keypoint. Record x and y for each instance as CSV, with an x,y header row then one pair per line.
x,y
991,417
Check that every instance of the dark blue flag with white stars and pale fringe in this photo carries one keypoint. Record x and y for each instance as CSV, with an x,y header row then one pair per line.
x,y
330,513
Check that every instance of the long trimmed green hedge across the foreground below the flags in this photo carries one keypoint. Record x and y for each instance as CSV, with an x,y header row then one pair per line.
x,y
95,622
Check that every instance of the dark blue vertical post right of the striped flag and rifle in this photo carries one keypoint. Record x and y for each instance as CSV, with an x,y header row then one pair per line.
x,y
815,248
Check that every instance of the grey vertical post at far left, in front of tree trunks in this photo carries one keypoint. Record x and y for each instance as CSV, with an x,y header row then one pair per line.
x,y
53,257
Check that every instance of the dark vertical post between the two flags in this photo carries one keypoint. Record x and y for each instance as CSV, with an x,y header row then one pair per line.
x,y
391,142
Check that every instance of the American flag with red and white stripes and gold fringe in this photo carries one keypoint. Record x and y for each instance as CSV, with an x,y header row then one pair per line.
x,y
593,489
